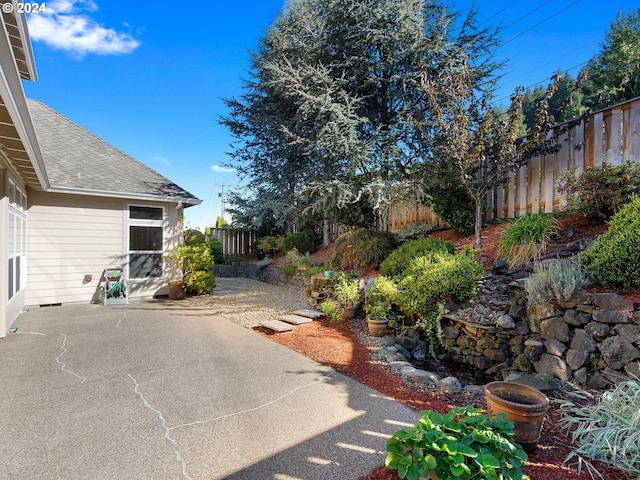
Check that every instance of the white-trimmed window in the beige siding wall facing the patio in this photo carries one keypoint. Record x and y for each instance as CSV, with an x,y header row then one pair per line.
x,y
146,241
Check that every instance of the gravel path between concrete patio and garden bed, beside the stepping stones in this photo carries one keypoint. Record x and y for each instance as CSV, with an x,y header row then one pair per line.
x,y
248,302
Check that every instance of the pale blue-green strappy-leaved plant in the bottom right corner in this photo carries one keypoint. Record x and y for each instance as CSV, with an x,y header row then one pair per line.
x,y
607,430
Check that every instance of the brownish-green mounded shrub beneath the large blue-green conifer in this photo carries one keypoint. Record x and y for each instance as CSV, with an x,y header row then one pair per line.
x,y
361,249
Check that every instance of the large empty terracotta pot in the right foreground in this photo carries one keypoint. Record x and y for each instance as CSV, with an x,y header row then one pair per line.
x,y
525,407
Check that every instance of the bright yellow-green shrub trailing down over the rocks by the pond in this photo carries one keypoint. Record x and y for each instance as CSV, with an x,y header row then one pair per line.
x,y
429,282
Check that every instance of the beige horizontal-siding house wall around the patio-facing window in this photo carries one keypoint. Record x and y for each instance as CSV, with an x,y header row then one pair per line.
x,y
72,236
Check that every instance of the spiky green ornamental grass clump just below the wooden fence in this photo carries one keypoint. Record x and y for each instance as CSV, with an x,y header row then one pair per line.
x,y
525,238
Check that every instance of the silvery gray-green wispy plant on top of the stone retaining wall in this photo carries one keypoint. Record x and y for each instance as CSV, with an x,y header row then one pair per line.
x,y
554,282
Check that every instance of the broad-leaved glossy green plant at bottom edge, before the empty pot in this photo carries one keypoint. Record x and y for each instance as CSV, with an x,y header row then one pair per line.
x,y
465,443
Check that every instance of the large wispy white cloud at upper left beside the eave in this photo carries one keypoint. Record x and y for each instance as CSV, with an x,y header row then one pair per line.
x,y
64,26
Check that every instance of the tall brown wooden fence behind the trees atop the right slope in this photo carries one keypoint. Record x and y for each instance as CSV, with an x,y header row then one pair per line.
x,y
608,136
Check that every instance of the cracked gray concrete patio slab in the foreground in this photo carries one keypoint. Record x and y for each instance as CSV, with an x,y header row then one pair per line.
x,y
170,390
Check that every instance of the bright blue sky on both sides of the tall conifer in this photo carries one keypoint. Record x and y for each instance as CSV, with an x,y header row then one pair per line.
x,y
148,76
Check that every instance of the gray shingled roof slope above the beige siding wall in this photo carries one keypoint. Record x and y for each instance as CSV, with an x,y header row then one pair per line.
x,y
77,161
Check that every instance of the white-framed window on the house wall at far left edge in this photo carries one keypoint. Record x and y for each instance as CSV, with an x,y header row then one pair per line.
x,y
16,239
